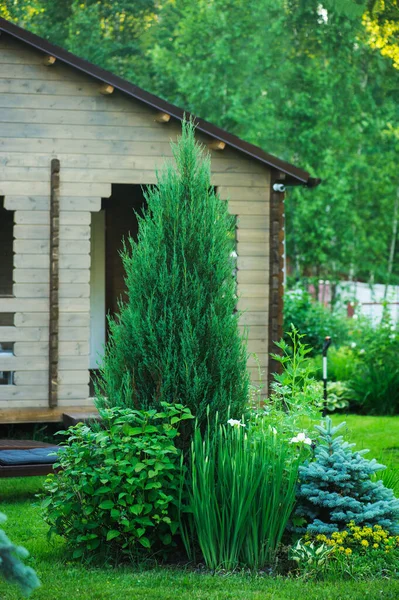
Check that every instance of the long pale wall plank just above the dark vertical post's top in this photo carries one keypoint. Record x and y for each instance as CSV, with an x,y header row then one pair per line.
x,y
55,146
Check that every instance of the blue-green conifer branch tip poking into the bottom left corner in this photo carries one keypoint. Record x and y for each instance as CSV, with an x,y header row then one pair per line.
x,y
11,566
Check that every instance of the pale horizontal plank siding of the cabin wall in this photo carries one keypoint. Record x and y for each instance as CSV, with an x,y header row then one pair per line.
x,y
56,112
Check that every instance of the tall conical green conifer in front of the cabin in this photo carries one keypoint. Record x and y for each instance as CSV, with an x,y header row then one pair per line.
x,y
176,339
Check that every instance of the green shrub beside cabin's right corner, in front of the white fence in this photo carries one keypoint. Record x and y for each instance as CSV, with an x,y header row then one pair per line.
x,y
313,320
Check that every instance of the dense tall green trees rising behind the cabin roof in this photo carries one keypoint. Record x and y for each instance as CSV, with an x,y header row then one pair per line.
x,y
315,83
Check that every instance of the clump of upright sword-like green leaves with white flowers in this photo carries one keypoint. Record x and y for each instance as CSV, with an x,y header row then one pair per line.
x,y
241,488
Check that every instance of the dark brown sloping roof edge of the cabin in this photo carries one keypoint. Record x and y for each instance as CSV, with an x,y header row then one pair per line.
x,y
295,175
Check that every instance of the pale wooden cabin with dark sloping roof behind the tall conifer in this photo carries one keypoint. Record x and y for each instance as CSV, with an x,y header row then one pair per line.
x,y
76,145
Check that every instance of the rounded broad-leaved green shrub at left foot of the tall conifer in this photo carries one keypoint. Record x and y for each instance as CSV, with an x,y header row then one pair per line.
x,y
117,491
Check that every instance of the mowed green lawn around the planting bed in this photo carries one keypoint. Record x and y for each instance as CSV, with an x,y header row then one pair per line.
x,y
64,580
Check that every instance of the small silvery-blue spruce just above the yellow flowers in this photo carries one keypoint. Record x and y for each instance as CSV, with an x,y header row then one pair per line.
x,y
335,487
